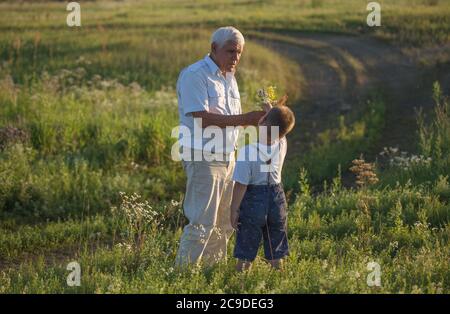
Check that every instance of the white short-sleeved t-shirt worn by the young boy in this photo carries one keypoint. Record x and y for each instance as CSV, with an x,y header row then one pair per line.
x,y
251,165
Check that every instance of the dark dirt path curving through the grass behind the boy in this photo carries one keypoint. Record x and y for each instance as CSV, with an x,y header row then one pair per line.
x,y
341,71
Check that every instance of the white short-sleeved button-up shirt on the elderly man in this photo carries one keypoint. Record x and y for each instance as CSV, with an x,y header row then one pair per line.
x,y
202,87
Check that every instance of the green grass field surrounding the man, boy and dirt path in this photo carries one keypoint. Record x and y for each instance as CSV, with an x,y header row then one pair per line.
x,y
85,123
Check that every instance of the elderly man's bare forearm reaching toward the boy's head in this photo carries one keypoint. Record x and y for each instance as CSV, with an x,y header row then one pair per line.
x,y
222,121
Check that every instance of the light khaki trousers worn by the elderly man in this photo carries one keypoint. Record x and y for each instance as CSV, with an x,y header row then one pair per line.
x,y
206,204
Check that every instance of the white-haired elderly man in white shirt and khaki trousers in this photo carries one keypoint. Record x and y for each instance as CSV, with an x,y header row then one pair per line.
x,y
208,96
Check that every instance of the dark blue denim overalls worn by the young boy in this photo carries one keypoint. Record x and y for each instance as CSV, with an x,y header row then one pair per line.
x,y
262,215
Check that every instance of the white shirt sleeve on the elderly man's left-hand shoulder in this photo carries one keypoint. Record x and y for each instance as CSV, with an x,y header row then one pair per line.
x,y
193,93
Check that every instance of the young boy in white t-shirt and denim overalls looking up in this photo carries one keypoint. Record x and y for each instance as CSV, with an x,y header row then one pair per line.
x,y
258,207
